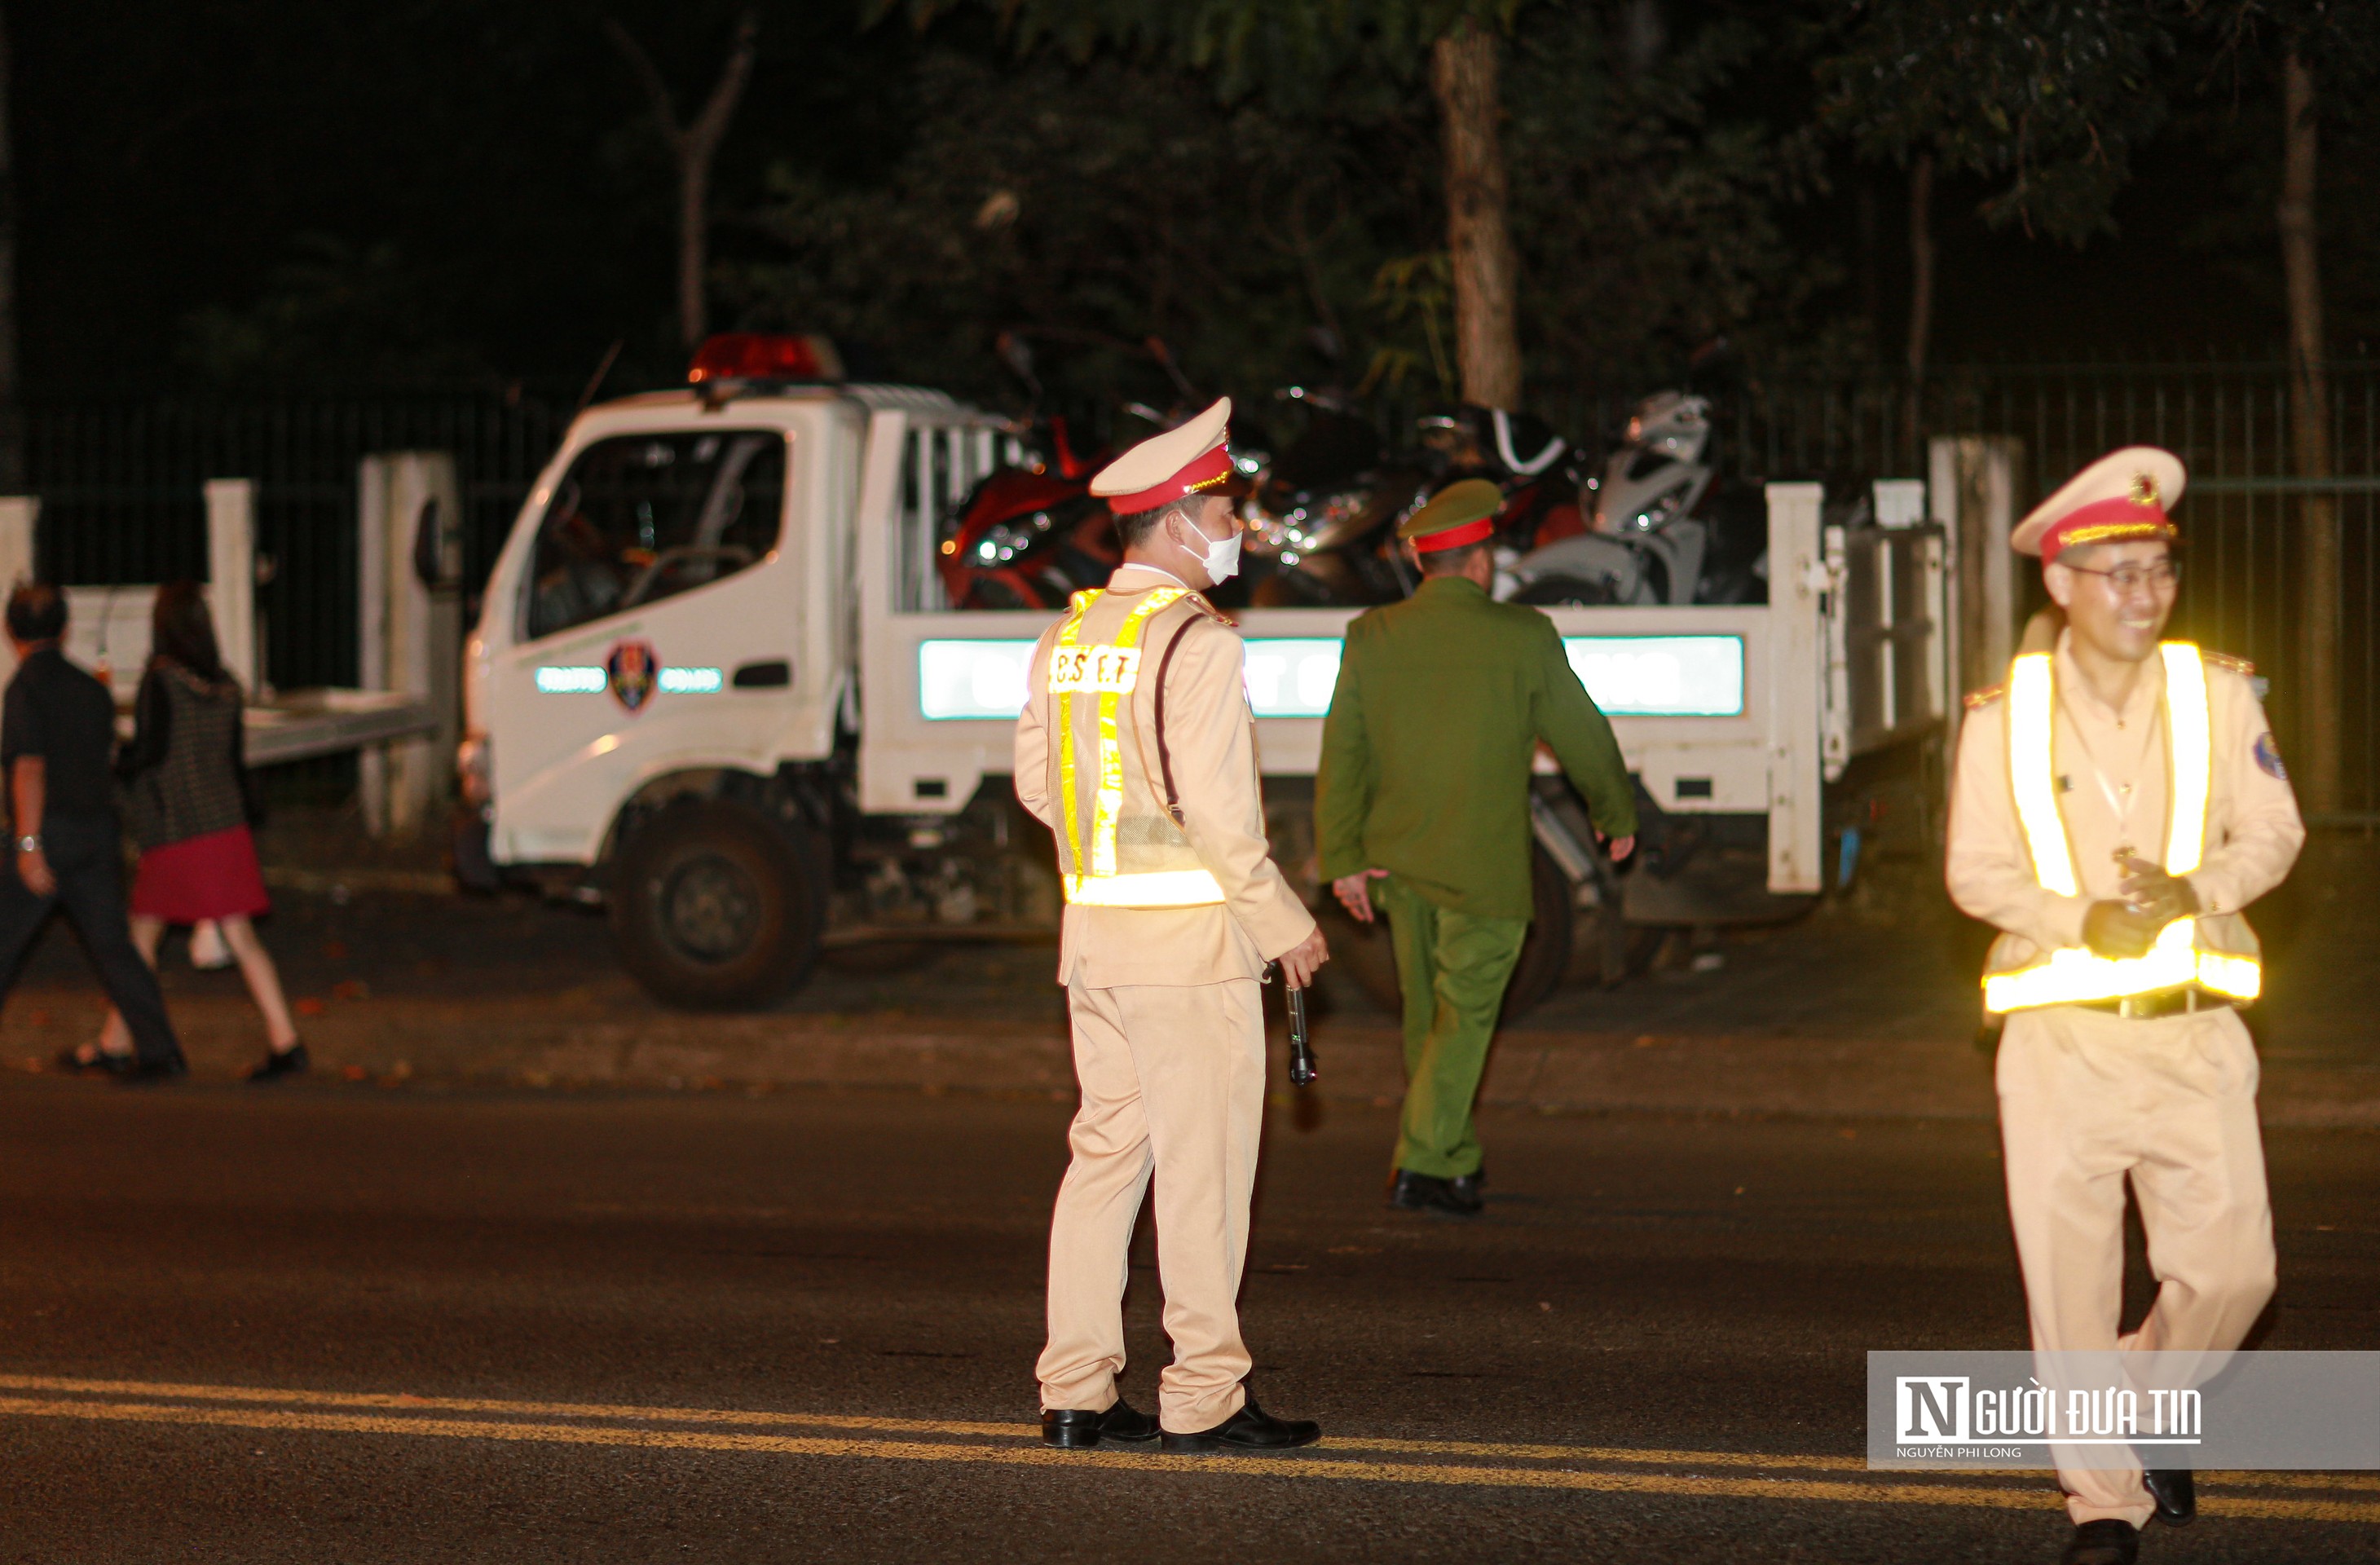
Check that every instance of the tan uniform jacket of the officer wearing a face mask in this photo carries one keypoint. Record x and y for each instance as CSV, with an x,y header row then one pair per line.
x,y
1213,741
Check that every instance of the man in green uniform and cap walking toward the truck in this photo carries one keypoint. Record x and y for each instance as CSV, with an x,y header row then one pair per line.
x,y
1424,788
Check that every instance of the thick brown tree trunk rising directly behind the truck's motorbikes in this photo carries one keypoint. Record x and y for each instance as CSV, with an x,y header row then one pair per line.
x,y
1479,244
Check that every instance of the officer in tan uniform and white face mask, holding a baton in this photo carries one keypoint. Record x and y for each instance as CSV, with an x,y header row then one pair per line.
x,y
1136,748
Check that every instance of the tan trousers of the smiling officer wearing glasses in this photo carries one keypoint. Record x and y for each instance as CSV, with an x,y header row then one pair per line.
x,y
2086,1100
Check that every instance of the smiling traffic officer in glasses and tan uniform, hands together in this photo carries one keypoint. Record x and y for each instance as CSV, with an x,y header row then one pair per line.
x,y
2117,805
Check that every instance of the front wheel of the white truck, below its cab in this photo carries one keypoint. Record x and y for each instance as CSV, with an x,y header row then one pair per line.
x,y
715,907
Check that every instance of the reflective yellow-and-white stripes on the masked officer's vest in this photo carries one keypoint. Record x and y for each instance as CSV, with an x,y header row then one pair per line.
x,y
1110,672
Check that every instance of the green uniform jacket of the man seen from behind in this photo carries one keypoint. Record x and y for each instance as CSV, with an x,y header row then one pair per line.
x,y
1427,750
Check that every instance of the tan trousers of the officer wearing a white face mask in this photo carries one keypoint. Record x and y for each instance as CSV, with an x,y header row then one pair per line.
x,y
1172,1086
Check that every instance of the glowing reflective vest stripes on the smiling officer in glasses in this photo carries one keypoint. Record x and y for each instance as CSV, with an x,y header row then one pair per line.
x,y
2077,974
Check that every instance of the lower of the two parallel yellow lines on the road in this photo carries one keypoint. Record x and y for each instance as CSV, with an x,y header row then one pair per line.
x,y
1041,1457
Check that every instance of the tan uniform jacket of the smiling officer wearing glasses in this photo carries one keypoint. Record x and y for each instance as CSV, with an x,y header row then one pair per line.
x,y
2112,793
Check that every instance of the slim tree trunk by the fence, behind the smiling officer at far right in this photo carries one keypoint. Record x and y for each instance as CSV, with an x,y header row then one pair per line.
x,y
2310,425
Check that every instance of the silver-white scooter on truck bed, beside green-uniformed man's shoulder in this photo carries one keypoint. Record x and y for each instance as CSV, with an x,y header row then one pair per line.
x,y
1646,546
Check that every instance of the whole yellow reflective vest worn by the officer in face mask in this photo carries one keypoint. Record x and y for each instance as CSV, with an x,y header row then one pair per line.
x,y
1125,850
